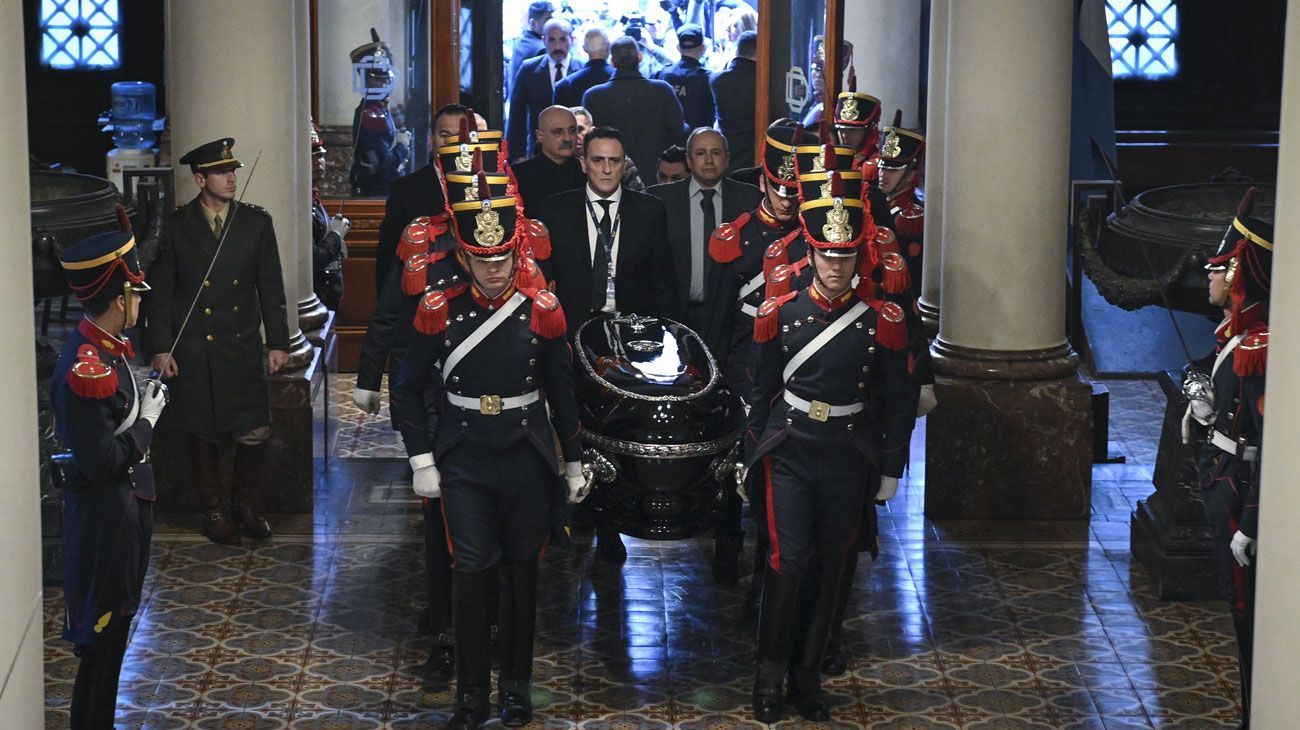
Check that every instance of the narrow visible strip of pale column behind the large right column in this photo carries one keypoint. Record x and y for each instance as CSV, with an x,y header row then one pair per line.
x,y
937,99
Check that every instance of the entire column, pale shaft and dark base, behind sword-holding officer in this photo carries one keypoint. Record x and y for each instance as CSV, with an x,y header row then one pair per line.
x,y
241,69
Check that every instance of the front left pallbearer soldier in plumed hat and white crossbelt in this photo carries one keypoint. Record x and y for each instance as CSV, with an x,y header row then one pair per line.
x,y
495,360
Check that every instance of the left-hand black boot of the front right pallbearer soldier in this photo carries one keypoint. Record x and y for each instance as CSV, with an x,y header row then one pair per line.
x,y
775,627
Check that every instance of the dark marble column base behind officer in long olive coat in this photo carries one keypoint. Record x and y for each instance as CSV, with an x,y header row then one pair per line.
x,y
288,477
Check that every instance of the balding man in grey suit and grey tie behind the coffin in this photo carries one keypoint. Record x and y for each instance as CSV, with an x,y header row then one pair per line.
x,y
696,207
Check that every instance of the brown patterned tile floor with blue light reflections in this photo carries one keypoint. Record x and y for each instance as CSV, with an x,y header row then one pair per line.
x,y
957,625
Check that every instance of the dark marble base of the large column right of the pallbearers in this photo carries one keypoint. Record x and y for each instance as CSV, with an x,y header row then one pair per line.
x,y
1012,437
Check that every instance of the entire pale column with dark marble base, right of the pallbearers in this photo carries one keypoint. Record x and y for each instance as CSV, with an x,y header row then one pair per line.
x,y
1012,436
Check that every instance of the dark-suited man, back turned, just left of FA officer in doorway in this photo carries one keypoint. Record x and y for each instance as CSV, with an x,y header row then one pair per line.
x,y
645,111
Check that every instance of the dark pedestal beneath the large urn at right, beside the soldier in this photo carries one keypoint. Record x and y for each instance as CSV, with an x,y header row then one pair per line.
x,y
1168,531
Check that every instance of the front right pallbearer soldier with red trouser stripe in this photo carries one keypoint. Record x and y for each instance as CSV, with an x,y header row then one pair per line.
x,y
831,399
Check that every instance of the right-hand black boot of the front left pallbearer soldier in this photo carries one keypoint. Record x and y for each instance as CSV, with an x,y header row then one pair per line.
x,y
519,623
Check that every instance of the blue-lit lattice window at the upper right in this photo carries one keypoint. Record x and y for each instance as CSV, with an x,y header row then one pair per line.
x,y
1143,38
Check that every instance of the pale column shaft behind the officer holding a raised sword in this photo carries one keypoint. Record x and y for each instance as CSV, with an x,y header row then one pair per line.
x,y
233,71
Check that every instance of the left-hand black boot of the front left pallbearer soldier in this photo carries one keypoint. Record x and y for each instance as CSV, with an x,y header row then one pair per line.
x,y
471,616
